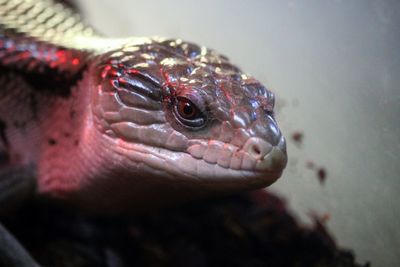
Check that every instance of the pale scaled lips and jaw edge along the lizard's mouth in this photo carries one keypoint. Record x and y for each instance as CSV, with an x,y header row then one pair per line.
x,y
202,161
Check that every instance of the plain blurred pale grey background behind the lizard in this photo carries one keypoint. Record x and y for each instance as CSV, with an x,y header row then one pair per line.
x,y
335,68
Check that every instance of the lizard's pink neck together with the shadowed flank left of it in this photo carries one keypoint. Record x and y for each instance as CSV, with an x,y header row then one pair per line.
x,y
46,130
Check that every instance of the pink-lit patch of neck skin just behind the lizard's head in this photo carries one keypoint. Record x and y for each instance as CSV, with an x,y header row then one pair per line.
x,y
64,147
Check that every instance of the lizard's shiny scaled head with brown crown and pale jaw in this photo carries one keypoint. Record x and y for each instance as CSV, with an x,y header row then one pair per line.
x,y
182,118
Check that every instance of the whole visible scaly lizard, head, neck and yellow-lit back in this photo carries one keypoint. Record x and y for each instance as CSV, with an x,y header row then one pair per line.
x,y
114,125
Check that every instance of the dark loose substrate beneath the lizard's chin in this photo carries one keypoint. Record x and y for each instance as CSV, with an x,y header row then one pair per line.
x,y
243,230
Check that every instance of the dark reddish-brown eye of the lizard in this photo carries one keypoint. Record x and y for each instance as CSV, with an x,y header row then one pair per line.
x,y
188,114
